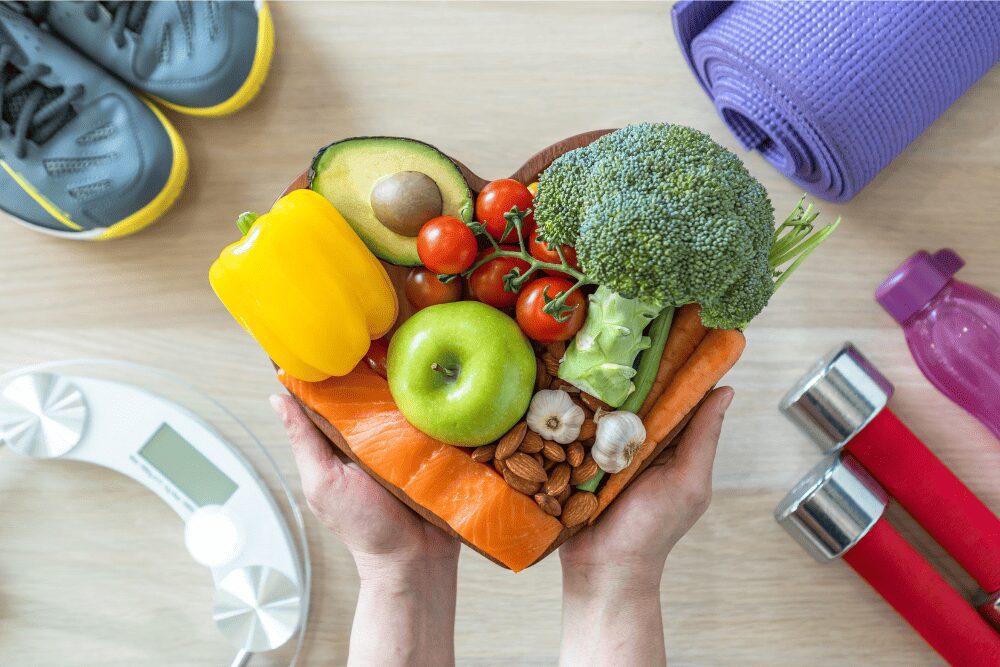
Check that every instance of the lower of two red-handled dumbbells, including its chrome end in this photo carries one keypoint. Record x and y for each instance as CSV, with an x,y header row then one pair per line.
x,y
836,511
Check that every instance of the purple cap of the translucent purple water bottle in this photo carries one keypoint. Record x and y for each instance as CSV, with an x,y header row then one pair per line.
x,y
915,282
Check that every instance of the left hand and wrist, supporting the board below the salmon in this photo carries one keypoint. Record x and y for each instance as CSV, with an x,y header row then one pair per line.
x,y
408,568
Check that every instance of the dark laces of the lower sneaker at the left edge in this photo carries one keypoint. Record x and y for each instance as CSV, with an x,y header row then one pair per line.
x,y
33,111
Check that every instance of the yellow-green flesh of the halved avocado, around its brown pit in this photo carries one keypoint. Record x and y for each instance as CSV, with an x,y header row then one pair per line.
x,y
346,172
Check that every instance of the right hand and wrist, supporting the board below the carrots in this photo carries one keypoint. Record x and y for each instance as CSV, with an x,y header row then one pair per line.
x,y
612,570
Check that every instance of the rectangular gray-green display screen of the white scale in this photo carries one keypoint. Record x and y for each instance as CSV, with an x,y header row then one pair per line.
x,y
187,468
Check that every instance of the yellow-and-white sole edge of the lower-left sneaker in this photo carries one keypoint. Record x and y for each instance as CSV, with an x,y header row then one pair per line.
x,y
134,222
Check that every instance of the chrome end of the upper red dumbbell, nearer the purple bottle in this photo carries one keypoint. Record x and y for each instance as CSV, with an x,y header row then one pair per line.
x,y
837,398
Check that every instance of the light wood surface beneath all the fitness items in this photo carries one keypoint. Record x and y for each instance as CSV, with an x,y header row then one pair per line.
x,y
93,569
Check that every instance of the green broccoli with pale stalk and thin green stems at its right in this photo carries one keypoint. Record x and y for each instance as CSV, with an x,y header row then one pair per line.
x,y
662,214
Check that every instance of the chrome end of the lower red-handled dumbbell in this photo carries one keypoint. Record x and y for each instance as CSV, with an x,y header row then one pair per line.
x,y
832,507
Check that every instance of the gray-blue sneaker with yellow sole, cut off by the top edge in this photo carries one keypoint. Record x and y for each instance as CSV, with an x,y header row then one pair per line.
x,y
203,58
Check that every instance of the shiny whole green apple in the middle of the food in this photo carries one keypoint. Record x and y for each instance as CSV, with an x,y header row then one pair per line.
x,y
461,372
